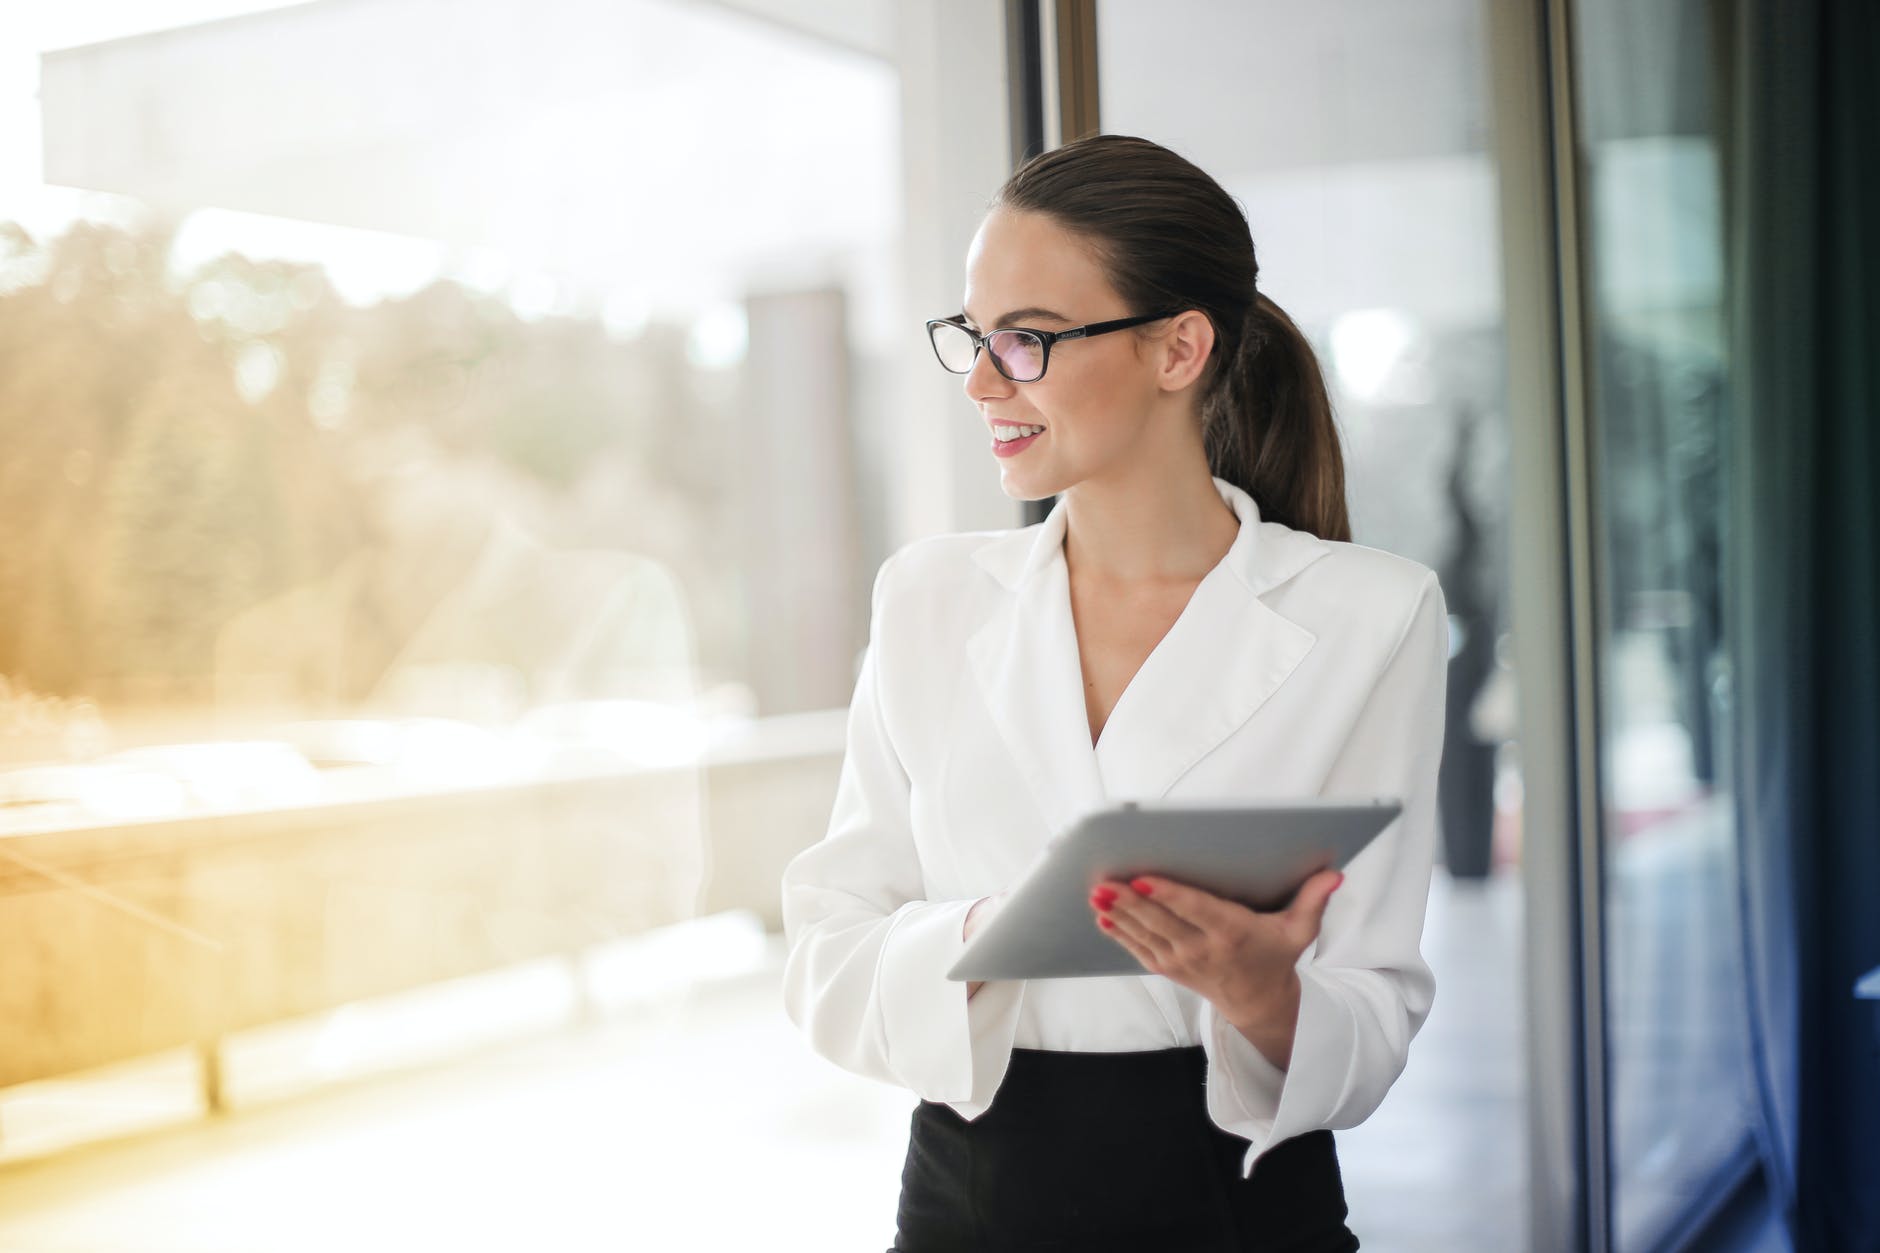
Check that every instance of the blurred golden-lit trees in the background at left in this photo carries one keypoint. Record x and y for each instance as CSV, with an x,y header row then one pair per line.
x,y
174,447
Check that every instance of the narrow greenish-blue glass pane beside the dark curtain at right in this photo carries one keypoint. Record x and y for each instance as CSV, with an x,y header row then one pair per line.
x,y
1680,1077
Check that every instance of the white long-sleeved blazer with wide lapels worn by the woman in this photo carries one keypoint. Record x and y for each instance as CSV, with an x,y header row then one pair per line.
x,y
1298,669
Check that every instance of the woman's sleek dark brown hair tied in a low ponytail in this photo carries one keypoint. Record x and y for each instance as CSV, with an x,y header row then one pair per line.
x,y
1172,238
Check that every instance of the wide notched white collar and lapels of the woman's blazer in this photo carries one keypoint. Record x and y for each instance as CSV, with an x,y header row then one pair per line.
x,y
1217,665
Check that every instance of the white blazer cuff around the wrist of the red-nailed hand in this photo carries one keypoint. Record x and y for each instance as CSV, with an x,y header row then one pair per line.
x,y
1255,1100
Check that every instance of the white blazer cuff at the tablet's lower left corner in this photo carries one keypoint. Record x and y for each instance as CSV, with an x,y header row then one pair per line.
x,y
939,1043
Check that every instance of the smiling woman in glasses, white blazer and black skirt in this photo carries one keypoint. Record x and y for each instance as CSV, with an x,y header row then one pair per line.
x,y
1189,622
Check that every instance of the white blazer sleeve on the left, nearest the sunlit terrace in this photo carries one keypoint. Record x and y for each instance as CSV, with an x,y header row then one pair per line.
x,y
868,955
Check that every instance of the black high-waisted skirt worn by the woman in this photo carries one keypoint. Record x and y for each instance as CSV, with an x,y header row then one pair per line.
x,y
1112,1152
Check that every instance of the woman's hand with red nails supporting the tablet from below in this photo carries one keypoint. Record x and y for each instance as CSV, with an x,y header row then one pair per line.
x,y
1242,960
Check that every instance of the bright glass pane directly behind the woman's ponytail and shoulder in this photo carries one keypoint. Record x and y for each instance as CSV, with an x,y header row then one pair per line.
x,y
1360,150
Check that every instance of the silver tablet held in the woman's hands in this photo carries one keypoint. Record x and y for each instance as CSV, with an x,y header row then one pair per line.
x,y
1257,855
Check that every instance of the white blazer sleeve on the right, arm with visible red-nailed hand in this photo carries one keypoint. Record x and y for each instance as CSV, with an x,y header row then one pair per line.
x,y
1364,985
